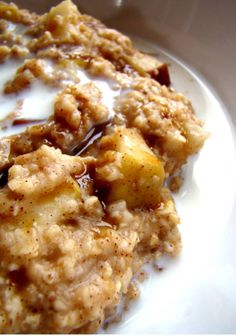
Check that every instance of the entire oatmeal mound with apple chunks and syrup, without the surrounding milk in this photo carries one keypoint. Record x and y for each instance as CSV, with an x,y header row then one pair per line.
x,y
75,230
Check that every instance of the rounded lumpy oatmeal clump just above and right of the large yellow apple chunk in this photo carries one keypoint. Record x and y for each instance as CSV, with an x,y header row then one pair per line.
x,y
165,119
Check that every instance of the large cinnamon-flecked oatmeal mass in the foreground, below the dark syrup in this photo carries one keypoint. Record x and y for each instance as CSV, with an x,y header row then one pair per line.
x,y
65,261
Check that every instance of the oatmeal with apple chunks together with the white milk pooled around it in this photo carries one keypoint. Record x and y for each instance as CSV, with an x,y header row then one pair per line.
x,y
98,137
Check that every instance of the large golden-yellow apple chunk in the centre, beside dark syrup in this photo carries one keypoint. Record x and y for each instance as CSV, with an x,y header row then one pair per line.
x,y
141,172
